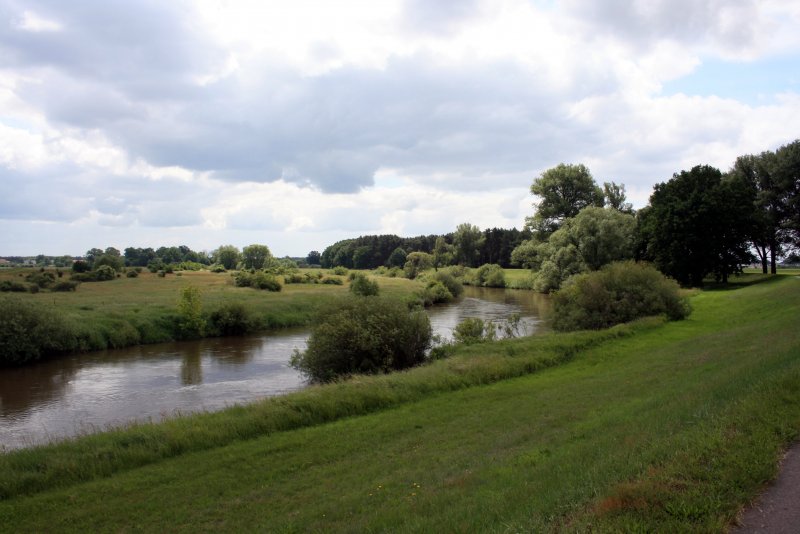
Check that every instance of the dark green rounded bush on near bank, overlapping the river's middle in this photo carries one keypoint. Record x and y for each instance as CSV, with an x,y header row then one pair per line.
x,y
358,335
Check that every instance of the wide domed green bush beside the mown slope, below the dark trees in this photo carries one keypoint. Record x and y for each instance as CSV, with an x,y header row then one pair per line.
x,y
618,293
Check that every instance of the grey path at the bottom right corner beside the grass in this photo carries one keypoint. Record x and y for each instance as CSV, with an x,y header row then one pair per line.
x,y
777,511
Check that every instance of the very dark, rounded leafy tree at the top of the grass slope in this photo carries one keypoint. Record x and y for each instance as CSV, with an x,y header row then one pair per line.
x,y
696,225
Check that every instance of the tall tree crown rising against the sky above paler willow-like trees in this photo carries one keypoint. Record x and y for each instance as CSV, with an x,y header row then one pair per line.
x,y
564,191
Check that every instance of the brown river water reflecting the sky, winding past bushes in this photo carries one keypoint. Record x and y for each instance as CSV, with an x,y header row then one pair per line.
x,y
95,391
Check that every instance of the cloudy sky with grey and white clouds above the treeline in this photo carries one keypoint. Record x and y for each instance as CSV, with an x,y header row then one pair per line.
x,y
298,123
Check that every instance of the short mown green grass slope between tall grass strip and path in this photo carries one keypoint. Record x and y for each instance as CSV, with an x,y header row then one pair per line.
x,y
671,429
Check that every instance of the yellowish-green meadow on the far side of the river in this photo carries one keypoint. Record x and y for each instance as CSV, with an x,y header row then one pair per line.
x,y
132,311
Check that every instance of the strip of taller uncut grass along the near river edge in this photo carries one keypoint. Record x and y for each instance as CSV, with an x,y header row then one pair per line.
x,y
101,455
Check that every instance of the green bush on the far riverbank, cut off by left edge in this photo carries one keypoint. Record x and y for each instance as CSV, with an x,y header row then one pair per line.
x,y
30,331
